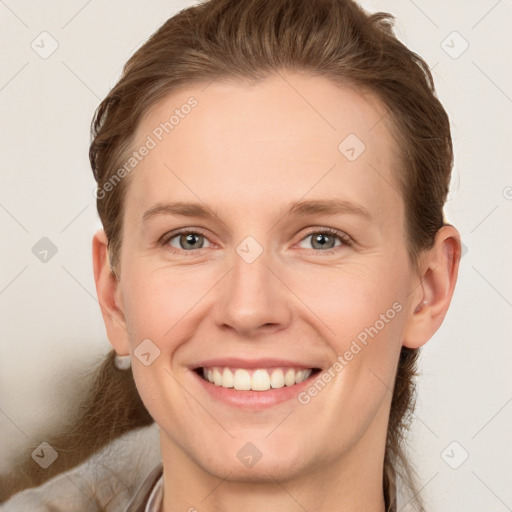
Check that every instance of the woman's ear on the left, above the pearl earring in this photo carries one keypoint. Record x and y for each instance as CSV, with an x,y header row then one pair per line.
x,y
108,290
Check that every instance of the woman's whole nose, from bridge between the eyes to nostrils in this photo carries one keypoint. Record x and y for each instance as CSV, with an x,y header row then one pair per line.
x,y
253,296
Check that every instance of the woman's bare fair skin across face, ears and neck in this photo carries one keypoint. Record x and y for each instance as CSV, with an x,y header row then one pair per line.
x,y
246,151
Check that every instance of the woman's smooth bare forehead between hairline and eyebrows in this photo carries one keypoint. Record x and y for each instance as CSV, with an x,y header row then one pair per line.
x,y
290,135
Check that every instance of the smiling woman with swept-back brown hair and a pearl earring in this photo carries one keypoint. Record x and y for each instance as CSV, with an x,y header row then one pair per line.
x,y
271,179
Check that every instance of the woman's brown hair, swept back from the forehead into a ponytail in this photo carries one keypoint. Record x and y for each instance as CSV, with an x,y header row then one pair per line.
x,y
250,40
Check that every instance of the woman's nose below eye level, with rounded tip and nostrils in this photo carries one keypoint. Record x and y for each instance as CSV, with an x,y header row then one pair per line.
x,y
253,298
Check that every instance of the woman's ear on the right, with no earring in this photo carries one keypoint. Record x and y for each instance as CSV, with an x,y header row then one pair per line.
x,y
433,294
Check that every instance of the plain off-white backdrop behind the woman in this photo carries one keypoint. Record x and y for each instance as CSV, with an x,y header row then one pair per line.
x,y
52,330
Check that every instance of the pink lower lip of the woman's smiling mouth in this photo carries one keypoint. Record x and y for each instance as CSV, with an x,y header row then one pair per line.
x,y
254,399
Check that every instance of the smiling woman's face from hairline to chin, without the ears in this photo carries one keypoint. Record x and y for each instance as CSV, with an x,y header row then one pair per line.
x,y
260,171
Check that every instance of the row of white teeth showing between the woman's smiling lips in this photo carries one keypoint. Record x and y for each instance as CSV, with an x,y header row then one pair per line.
x,y
258,379
